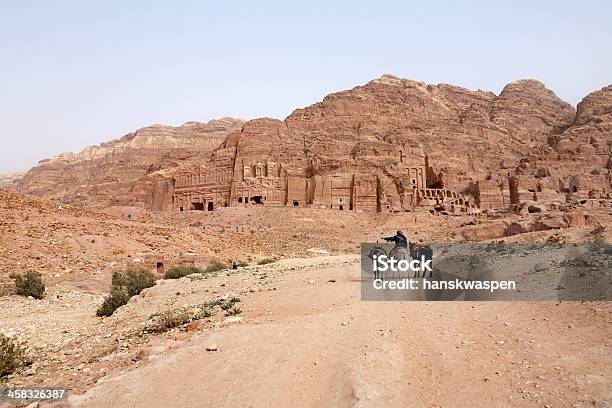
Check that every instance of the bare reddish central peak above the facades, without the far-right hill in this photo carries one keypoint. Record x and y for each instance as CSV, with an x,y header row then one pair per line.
x,y
466,134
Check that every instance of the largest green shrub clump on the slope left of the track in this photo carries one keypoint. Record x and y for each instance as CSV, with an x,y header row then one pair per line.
x,y
124,285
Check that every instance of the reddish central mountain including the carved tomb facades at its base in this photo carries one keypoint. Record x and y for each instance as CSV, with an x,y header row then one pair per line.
x,y
393,144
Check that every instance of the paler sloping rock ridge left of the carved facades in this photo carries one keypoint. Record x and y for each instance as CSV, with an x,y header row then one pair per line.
x,y
133,170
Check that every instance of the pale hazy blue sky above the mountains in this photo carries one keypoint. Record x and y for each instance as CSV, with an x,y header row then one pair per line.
x,y
77,73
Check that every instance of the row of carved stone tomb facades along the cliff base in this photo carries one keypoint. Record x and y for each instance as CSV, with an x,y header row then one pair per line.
x,y
265,182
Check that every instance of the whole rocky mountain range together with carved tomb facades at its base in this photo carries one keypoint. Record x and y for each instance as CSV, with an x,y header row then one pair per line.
x,y
389,145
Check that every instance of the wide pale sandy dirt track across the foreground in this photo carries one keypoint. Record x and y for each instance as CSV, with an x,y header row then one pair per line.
x,y
313,342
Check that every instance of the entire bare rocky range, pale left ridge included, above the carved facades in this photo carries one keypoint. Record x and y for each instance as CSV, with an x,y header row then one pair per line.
x,y
378,128
